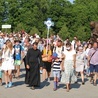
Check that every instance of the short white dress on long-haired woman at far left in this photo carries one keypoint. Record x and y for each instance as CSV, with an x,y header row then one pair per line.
x,y
8,60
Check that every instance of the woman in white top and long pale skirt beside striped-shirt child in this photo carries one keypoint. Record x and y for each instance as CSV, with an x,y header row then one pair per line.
x,y
68,76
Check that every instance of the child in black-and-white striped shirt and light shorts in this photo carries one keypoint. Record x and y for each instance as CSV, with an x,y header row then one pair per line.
x,y
56,70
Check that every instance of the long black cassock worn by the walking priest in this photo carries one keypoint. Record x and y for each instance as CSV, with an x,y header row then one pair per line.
x,y
33,59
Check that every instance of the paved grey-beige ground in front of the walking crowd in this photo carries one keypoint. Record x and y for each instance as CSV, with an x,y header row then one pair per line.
x,y
19,90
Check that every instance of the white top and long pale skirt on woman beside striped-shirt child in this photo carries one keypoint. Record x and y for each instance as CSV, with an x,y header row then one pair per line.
x,y
68,76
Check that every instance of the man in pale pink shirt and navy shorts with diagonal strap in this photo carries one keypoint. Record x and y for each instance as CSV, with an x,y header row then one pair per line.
x,y
93,63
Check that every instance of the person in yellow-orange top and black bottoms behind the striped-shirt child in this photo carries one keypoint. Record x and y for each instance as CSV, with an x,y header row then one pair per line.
x,y
47,61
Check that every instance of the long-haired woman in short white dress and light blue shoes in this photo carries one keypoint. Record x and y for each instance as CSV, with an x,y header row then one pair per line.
x,y
8,63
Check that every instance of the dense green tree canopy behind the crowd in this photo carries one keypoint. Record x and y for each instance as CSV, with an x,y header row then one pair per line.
x,y
70,19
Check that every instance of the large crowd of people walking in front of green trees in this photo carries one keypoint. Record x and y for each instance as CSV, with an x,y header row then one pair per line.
x,y
65,59
